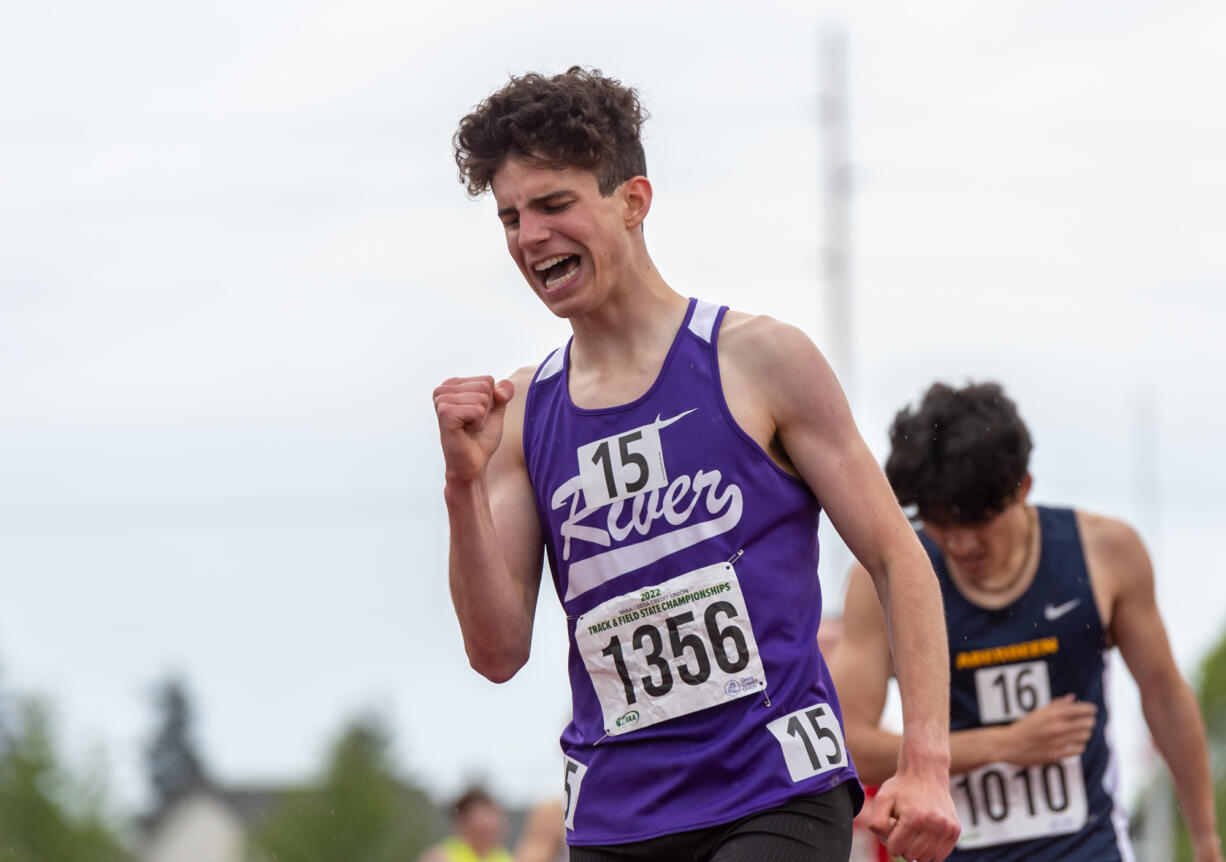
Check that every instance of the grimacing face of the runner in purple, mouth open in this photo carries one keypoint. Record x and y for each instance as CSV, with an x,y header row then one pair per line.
x,y
562,234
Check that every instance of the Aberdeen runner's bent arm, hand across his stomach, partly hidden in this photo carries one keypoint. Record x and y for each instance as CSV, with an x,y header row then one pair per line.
x,y
861,669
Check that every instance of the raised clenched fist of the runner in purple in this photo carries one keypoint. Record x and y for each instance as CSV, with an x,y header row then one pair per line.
x,y
470,413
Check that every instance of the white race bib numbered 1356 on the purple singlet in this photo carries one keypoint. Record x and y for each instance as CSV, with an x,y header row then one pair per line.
x,y
669,650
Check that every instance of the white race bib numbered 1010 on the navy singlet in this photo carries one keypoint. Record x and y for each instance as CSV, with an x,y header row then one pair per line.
x,y
1005,803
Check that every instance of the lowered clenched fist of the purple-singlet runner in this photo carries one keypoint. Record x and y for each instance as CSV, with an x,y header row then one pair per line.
x,y
914,817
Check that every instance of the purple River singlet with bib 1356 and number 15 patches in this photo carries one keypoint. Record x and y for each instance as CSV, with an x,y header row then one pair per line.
x,y
687,563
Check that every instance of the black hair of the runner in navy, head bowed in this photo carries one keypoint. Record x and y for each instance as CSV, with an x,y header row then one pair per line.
x,y
961,457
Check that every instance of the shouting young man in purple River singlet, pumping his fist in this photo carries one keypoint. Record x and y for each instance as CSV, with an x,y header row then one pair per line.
x,y
669,462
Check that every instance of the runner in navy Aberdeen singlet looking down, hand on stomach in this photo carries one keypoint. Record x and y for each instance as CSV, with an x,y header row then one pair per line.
x,y
1035,600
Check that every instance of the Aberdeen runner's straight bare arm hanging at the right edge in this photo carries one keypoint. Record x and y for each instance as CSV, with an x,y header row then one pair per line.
x,y
1120,562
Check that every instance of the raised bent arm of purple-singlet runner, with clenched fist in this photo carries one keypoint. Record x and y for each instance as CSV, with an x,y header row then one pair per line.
x,y
496,547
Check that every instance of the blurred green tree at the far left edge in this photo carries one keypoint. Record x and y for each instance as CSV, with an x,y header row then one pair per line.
x,y
47,812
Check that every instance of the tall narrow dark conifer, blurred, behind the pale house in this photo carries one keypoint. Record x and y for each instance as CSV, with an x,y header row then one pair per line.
x,y
171,756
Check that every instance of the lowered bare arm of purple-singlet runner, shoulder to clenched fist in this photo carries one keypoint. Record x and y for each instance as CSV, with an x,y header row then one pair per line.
x,y
816,429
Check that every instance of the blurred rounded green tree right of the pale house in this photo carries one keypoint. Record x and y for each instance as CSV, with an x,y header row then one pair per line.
x,y
360,811
